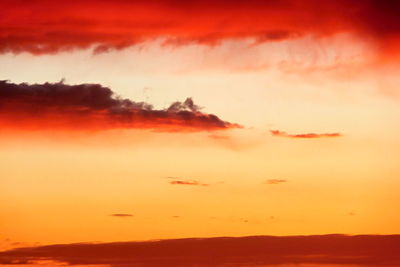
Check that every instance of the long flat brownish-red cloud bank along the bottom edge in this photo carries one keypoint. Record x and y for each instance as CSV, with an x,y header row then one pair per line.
x,y
360,250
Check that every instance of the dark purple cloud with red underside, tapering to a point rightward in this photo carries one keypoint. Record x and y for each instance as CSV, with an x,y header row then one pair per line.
x,y
94,107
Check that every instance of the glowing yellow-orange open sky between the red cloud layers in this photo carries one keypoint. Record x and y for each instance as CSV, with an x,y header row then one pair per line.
x,y
63,187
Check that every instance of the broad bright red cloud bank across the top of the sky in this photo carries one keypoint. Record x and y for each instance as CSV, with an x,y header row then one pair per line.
x,y
46,26
